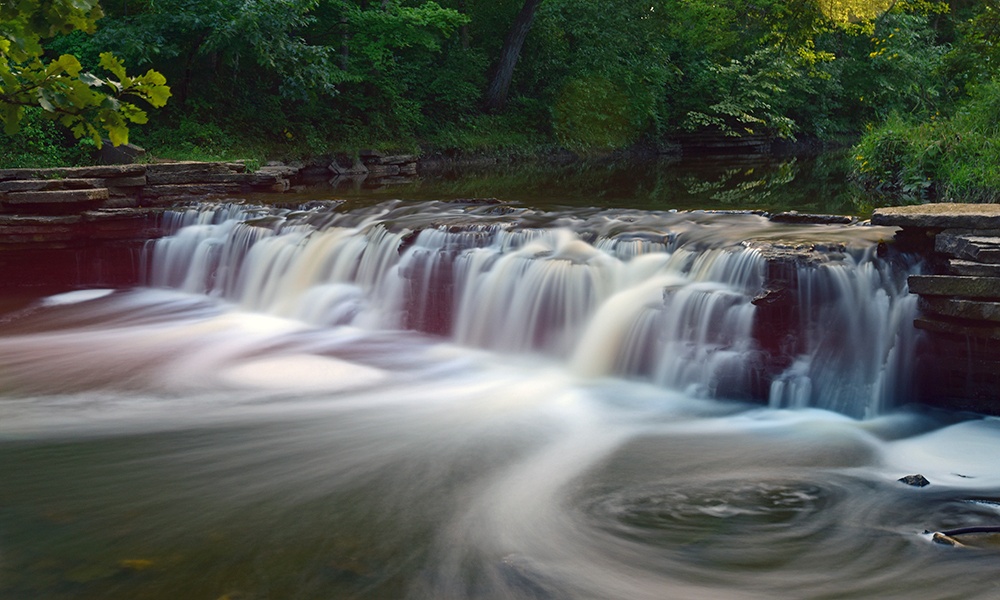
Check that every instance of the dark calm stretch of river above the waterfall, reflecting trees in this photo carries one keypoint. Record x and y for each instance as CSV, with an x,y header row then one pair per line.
x,y
809,184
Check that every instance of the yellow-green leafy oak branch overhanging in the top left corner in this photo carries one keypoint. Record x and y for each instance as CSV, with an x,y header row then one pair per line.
x,y
80,100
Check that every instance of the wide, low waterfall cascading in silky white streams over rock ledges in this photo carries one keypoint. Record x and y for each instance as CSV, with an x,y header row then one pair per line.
x,y
664,297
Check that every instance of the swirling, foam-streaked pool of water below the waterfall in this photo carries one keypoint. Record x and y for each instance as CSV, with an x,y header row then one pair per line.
x,y
155,444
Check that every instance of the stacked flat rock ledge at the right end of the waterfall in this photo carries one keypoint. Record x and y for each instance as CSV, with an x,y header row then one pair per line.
x,y
959,300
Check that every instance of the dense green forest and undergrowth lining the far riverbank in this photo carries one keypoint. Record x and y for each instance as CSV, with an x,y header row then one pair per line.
x,y
914,85
